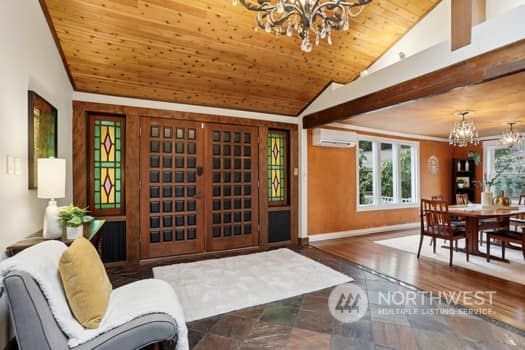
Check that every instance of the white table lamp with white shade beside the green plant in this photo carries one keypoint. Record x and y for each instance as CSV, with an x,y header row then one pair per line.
x,y
51,185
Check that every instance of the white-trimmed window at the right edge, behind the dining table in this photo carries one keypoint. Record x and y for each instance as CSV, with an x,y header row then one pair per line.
x,y
508,163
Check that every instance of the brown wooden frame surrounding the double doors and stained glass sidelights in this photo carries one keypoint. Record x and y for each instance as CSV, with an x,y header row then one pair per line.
x,y
132,163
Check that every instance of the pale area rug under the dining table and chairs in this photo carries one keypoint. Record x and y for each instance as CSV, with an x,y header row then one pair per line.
x,y
513,271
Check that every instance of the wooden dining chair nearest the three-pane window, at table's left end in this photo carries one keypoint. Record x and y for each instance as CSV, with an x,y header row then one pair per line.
x,y
436,223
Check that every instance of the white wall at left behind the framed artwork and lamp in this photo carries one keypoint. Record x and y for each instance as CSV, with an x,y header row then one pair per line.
x,y
29,60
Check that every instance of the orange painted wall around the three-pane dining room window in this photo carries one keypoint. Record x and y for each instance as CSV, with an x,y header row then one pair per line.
x,y
332,188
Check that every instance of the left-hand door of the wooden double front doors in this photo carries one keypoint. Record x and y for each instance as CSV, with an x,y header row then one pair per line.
x,y
172,185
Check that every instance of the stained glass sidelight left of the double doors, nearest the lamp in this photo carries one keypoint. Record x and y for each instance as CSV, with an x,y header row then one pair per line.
x,y
107,165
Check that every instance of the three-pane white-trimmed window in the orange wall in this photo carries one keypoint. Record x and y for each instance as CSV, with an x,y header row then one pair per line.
x,y
387,173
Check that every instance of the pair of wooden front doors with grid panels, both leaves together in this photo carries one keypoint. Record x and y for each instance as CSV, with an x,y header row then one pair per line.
x,y
199,187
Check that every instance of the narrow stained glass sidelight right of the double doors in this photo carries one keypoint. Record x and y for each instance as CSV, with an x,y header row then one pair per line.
x,y
277,167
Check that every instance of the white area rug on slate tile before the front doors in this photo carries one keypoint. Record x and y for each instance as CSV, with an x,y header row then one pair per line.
x,y
212,287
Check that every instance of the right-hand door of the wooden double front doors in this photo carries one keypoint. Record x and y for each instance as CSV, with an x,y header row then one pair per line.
x,y
231,195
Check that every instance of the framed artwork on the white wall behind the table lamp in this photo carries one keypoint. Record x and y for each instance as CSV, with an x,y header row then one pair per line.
x,y
42,134
